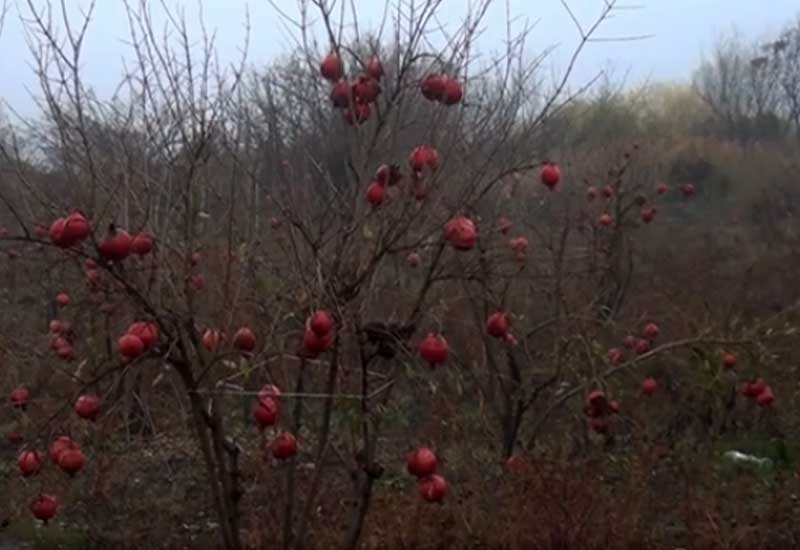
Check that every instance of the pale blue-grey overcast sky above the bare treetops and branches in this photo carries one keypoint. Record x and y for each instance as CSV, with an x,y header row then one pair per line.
x,y
681,29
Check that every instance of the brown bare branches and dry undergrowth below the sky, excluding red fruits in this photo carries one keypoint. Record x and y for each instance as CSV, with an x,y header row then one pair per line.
x,y
254,187
